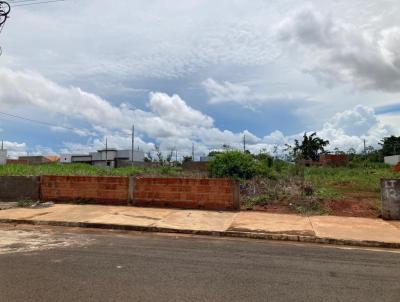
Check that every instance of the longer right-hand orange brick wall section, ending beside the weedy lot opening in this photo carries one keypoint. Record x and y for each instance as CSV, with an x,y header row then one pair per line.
x,y
192,193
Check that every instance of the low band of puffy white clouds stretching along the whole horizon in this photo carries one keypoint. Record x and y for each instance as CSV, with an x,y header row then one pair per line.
x,y
168,121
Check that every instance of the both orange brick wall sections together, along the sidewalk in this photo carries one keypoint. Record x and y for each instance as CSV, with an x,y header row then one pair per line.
x,y
191,193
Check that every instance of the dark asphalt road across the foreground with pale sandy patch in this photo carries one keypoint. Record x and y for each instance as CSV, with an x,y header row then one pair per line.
x,y
117,266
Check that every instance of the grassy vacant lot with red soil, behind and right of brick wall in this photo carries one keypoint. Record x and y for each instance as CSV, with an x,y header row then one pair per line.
x,y
344,191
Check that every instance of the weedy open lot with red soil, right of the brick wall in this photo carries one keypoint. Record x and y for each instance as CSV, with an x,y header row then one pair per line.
x,y
344,191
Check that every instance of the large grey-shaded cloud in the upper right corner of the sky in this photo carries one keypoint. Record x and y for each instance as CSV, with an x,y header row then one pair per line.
x,y
337,51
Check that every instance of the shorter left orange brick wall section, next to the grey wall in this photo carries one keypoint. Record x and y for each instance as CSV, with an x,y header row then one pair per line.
x,y
90,189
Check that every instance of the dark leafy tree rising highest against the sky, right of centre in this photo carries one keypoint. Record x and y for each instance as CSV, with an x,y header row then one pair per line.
x,y
311,147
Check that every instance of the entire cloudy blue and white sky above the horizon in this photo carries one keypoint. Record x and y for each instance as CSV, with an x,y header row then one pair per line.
x,y
198,72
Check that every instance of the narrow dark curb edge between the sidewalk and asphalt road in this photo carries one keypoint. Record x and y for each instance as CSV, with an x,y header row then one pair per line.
x,y
251,235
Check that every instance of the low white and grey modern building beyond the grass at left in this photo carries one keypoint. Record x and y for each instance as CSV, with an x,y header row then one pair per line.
x,y
105,158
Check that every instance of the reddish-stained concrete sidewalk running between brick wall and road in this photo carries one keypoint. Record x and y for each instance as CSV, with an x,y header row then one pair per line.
x,y
318,229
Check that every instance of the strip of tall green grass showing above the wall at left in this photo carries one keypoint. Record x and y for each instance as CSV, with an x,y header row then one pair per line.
x,y
83,170
